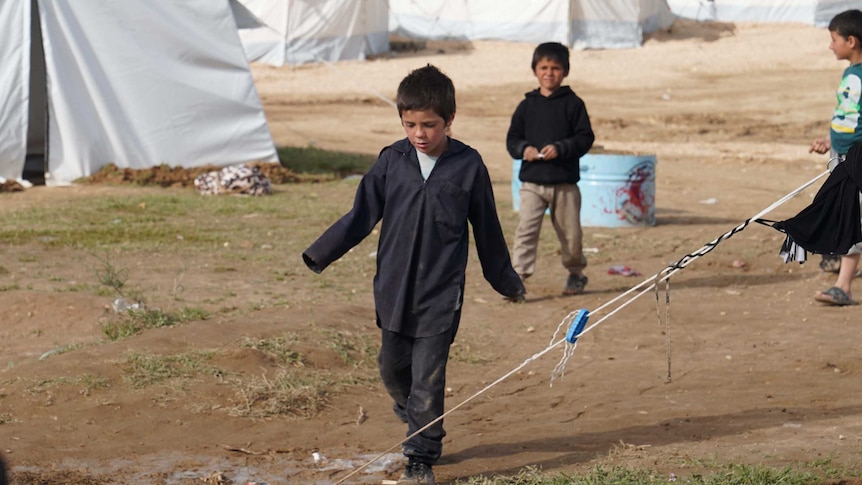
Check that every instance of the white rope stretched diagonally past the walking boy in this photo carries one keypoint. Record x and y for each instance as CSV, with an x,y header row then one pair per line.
x,y
651,282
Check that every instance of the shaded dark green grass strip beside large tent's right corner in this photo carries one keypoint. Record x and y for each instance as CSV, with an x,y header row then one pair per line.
x,y
313,160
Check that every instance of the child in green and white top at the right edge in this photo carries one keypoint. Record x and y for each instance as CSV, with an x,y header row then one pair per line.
x,y
845,29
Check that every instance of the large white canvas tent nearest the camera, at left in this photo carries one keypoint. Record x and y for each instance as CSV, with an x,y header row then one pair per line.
x,y
137,84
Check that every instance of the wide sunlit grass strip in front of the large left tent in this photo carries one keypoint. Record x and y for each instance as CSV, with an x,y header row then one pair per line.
x,y
152,221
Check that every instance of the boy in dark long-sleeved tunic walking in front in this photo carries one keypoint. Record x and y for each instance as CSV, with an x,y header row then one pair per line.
x,y
425,188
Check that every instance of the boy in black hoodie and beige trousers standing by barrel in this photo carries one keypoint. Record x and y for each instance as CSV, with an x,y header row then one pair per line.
x,y
550,132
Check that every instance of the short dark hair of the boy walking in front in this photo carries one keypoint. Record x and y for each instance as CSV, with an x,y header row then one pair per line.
x,y
427,88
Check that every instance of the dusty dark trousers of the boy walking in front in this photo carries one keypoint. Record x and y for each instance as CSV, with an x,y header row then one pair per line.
x,y
414,373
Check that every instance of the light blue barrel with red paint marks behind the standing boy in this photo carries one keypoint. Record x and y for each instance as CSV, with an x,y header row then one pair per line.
x,y
617,190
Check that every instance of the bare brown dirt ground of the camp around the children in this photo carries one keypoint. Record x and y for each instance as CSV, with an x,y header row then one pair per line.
x,y
760,373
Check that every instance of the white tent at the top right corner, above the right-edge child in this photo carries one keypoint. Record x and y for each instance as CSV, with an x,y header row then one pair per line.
x,y
813,12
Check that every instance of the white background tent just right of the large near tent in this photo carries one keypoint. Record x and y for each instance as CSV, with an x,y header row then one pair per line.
x,y
279,32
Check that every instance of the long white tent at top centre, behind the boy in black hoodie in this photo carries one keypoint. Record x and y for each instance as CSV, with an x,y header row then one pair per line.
x,y
581,24
